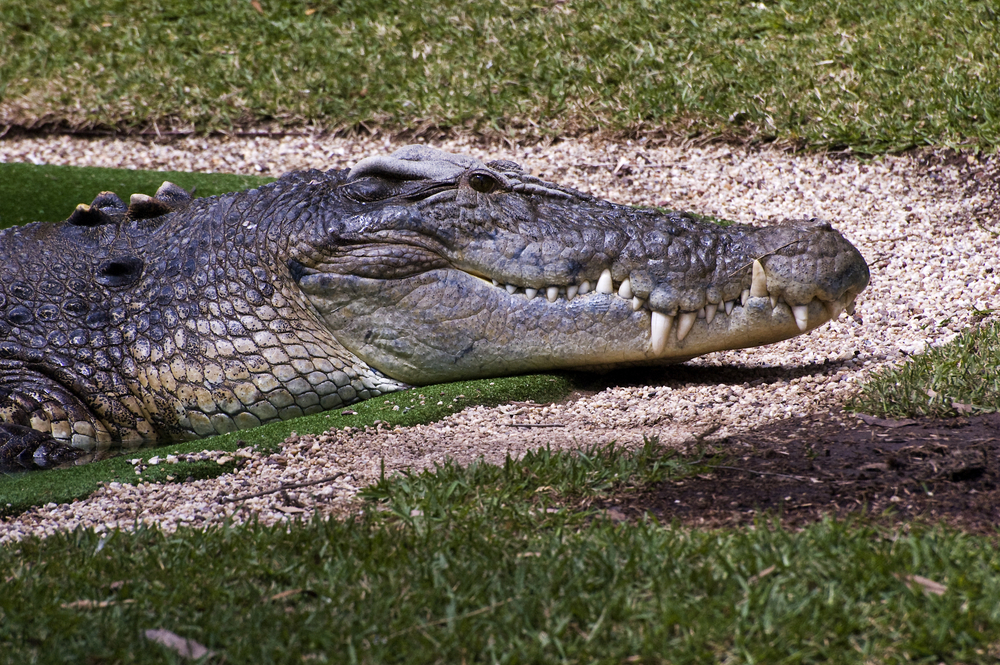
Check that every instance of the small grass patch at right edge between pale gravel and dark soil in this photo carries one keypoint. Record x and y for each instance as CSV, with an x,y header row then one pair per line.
x,y
958,378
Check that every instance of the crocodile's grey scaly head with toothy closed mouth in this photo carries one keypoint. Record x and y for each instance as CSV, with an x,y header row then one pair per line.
x,y
434,267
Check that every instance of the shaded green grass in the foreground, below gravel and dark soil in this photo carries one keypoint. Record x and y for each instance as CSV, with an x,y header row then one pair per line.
x,y
498,564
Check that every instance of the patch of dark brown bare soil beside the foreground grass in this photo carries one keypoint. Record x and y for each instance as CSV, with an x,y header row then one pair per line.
x,y
837,464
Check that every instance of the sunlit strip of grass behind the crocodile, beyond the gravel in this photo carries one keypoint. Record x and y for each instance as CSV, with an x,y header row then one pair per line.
x,y
873,76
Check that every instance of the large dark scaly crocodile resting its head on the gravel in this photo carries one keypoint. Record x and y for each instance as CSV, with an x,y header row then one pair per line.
x,y
171,318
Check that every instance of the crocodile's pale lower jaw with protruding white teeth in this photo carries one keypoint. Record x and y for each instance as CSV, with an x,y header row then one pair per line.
x,y
446,325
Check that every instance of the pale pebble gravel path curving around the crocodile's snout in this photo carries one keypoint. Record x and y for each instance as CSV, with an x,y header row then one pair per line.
x,y
919,221
